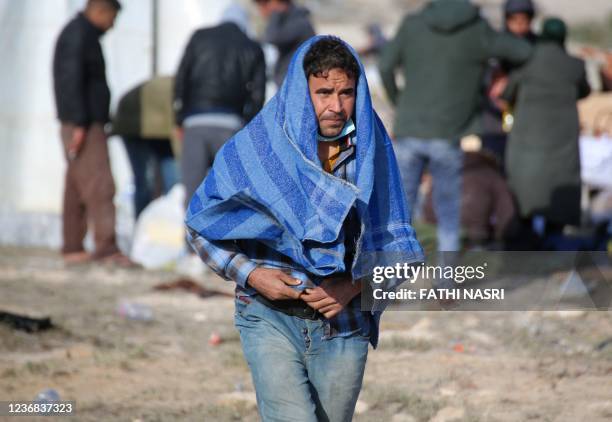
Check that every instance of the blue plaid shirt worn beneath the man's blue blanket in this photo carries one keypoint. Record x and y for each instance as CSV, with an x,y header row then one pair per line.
x,y
235,260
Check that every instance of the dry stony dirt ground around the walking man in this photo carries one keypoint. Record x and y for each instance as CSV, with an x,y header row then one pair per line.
x,y
430,366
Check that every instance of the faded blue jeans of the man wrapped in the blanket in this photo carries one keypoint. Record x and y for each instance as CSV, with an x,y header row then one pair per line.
x,y
299,375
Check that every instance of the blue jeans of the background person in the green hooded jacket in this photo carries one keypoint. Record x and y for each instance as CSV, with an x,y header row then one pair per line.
x,y
444,159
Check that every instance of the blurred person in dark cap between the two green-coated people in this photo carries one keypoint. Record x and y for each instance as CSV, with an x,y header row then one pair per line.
x,y
518,20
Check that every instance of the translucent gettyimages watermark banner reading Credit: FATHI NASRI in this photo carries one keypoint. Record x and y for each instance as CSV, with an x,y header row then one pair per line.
x,y
491,281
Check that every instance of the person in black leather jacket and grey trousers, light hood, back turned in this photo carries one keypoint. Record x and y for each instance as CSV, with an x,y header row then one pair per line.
x,y
220,85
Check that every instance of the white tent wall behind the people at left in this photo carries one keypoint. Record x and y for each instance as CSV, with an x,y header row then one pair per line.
x,y
31,161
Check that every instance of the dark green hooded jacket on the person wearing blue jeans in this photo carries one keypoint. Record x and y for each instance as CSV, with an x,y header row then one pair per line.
x,y
443,52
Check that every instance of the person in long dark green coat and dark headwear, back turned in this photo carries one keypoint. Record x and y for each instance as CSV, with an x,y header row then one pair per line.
x,y
542,159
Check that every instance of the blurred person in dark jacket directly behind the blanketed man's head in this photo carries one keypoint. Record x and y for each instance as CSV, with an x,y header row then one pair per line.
x,y
288,27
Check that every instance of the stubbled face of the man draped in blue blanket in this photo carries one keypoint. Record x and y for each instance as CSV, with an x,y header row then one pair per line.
x,y
333,97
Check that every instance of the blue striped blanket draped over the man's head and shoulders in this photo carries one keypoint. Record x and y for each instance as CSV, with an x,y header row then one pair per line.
x,y
267,184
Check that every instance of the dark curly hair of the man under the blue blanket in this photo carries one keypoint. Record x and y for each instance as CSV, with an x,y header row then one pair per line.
x,y
330,53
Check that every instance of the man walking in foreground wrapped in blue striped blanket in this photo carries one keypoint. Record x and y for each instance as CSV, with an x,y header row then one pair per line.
x,y
298,209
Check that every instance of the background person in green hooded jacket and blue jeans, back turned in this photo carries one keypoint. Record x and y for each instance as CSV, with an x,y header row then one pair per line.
x,y
444,51
